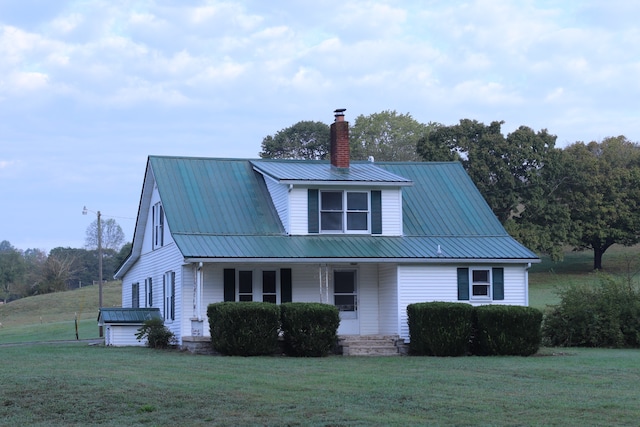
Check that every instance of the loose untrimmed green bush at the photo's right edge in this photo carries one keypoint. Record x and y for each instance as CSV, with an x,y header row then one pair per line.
x,y
607,315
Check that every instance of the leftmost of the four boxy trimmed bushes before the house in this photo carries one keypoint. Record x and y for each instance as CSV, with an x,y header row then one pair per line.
x,y
244,328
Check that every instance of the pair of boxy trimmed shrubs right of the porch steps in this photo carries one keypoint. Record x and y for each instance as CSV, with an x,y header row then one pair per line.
x,y
457,329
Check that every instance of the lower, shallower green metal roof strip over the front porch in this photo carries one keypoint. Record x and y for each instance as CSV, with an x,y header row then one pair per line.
x,y
353,248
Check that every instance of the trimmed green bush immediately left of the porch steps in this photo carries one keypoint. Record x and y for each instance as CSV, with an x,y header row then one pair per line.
x,y
309,329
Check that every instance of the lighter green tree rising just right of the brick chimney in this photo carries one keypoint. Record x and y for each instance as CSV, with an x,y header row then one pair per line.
x,y
386,136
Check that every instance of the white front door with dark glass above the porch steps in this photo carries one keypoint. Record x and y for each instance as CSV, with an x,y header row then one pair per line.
x,y
345,297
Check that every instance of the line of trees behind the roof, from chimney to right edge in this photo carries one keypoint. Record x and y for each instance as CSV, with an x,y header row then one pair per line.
x,y
585,195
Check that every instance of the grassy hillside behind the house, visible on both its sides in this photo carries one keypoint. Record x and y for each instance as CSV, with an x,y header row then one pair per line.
x,y
51,316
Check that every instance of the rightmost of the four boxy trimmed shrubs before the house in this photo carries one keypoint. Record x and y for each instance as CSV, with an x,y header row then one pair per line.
x,y
506,330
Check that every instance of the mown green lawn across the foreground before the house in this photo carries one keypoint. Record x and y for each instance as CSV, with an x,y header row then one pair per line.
x,y
77,384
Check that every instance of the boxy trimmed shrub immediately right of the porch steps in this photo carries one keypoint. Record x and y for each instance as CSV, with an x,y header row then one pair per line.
x,y
439,328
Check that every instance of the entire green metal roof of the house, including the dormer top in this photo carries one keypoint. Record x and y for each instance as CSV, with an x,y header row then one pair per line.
x,y
221,208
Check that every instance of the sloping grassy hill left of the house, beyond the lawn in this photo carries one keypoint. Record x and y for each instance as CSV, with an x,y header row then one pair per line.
x,y
52,316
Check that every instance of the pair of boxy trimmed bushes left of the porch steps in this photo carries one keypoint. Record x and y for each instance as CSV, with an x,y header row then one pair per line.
x,y
252,328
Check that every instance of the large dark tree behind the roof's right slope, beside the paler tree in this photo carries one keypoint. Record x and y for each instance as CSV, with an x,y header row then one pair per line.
x,y
501,167
